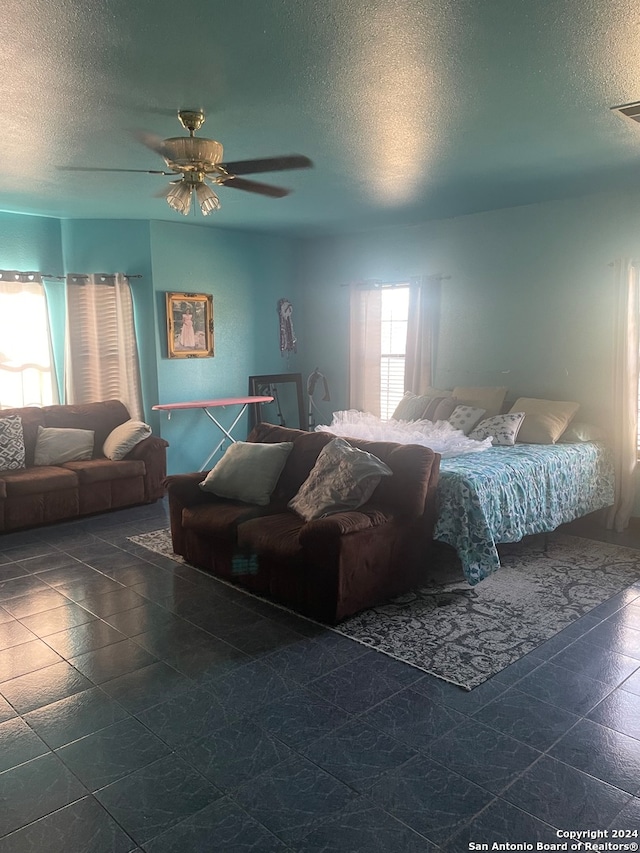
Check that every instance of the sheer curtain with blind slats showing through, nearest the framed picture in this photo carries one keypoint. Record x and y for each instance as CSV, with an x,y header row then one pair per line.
x,y
101,358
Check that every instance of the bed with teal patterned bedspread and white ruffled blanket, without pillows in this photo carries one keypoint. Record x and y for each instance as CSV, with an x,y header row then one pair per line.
x,y
491,495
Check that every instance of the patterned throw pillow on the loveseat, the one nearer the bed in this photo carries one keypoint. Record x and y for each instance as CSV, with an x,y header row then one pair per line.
x,y
343,478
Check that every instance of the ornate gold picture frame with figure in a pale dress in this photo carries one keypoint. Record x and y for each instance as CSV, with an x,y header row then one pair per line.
x,y
190,325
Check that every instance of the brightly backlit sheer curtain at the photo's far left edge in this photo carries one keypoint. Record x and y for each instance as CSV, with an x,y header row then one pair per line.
x,y
26,374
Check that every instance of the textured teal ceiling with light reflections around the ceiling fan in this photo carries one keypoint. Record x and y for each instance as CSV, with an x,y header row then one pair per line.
x,y
410,109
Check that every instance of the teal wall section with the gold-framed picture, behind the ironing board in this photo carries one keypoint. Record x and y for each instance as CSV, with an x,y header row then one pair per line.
x,y
246,274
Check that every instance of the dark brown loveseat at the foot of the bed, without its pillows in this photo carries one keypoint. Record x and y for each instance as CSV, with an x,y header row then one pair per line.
x,y
328,568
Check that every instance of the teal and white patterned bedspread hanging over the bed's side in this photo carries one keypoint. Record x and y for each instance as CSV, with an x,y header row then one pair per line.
x,y
505,493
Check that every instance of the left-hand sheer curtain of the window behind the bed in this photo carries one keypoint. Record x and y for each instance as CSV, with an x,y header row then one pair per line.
x,y
365,345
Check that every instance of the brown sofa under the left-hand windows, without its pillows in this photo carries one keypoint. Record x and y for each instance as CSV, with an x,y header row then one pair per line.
x,y
43,494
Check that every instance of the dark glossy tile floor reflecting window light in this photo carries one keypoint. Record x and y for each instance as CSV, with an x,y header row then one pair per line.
x,y
144,706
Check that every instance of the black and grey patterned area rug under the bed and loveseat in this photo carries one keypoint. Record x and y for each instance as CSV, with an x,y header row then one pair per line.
x,y
464,634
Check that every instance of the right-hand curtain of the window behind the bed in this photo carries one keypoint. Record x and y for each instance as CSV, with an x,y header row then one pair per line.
x,y
424,297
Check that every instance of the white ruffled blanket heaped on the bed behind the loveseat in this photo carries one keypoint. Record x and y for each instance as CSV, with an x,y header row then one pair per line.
x,y
439,436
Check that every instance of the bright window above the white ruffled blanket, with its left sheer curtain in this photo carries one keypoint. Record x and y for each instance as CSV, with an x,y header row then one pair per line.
x,y
378,335
